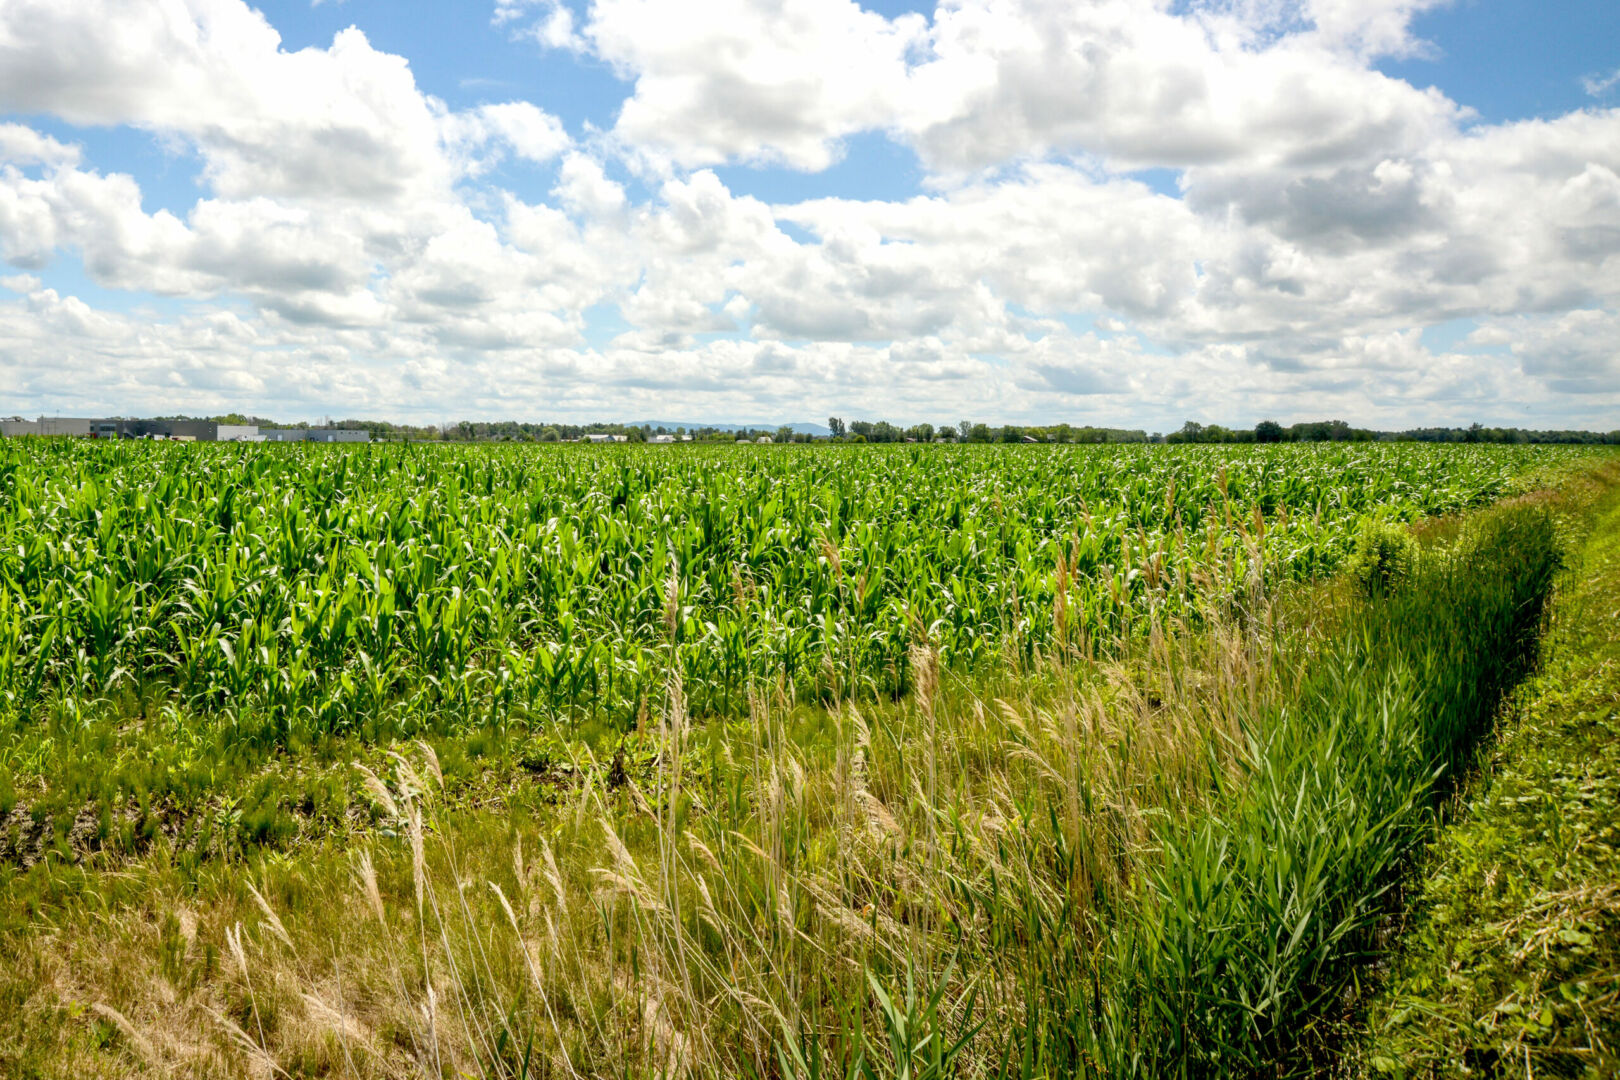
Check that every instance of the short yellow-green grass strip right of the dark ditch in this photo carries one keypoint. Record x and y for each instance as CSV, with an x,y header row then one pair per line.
x,y
1512,958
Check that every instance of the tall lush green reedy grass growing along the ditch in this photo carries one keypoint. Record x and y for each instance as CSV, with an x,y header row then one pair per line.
x,y
1263,908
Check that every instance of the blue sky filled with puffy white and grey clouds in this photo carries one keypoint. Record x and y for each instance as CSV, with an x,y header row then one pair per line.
x,y
1125,213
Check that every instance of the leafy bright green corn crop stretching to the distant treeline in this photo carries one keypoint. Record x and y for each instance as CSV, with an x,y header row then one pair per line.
x,y
318,587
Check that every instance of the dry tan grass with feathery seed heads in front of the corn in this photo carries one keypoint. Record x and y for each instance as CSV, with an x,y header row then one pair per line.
x,y
684,929
